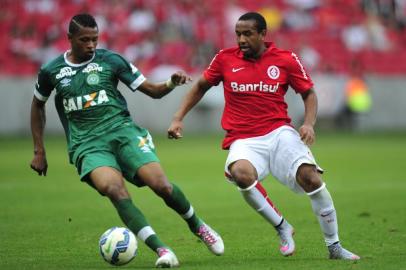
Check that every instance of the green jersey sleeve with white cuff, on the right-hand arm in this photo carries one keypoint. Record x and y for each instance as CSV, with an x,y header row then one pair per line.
x,y
126,72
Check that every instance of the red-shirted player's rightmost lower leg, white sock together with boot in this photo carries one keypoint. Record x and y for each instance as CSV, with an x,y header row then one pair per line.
x,y
323,207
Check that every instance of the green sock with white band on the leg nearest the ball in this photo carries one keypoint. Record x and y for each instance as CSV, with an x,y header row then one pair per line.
x,y
136,222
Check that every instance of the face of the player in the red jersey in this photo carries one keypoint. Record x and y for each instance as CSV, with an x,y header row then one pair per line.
x,y
251,42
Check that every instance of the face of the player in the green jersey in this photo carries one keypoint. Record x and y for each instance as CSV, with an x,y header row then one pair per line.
x,y
84,43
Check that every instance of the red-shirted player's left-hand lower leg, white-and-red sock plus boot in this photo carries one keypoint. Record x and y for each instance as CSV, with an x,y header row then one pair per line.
x,y
257,197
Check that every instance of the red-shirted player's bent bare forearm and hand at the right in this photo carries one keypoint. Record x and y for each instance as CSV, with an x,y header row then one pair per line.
x,y
307,129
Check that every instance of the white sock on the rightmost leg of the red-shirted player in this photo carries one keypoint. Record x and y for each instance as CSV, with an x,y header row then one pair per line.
x,y
323,207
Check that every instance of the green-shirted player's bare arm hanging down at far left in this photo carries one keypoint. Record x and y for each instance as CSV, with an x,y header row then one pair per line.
x,y
39,161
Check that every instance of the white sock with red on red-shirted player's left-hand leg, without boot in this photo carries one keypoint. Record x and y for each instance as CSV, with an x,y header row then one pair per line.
x,y
256,196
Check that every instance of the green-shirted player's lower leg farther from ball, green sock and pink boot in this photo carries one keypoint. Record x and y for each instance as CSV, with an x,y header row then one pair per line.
x,y
178,202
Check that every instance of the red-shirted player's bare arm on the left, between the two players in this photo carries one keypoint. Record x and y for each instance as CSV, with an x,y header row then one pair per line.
x,y
189,101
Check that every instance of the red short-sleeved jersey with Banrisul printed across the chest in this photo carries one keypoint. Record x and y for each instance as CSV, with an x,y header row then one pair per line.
x,y
254,90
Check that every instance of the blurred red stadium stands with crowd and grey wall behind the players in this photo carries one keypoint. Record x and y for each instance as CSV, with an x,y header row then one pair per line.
x,y
337,40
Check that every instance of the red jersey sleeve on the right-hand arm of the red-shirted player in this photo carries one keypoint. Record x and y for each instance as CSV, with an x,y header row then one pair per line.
x,y
299,80
